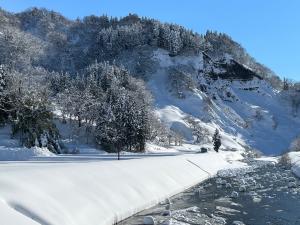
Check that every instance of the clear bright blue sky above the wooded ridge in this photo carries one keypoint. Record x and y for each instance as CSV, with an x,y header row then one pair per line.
x,y
268,29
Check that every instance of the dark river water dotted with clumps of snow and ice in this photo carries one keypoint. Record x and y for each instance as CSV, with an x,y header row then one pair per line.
x,y
263,194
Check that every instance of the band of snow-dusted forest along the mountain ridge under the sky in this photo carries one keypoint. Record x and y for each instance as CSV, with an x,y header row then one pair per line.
x,y
45,38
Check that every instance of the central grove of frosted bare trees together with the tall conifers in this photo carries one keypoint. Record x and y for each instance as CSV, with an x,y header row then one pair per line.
x,y
109,103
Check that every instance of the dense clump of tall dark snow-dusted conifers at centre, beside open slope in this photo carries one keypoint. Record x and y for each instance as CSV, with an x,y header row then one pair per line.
x,y
123,116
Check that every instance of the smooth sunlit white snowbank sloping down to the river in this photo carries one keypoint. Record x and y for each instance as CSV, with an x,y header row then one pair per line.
x,y
72,192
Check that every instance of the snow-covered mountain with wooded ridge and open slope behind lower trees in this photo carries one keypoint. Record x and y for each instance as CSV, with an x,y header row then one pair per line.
x,y
199,83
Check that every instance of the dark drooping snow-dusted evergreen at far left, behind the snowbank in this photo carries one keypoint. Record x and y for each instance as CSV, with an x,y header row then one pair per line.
x,y
33,121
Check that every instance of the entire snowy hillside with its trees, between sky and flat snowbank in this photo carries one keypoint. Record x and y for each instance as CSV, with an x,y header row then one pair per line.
x,y
104,72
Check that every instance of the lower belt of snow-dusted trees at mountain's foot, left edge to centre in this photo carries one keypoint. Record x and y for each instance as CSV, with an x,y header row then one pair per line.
x,y
113,108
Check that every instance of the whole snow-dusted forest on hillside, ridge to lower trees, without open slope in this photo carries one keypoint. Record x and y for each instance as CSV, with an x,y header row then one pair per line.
x,y
49,62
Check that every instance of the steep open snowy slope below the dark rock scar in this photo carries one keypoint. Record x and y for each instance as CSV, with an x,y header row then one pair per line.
x,y
247,112
